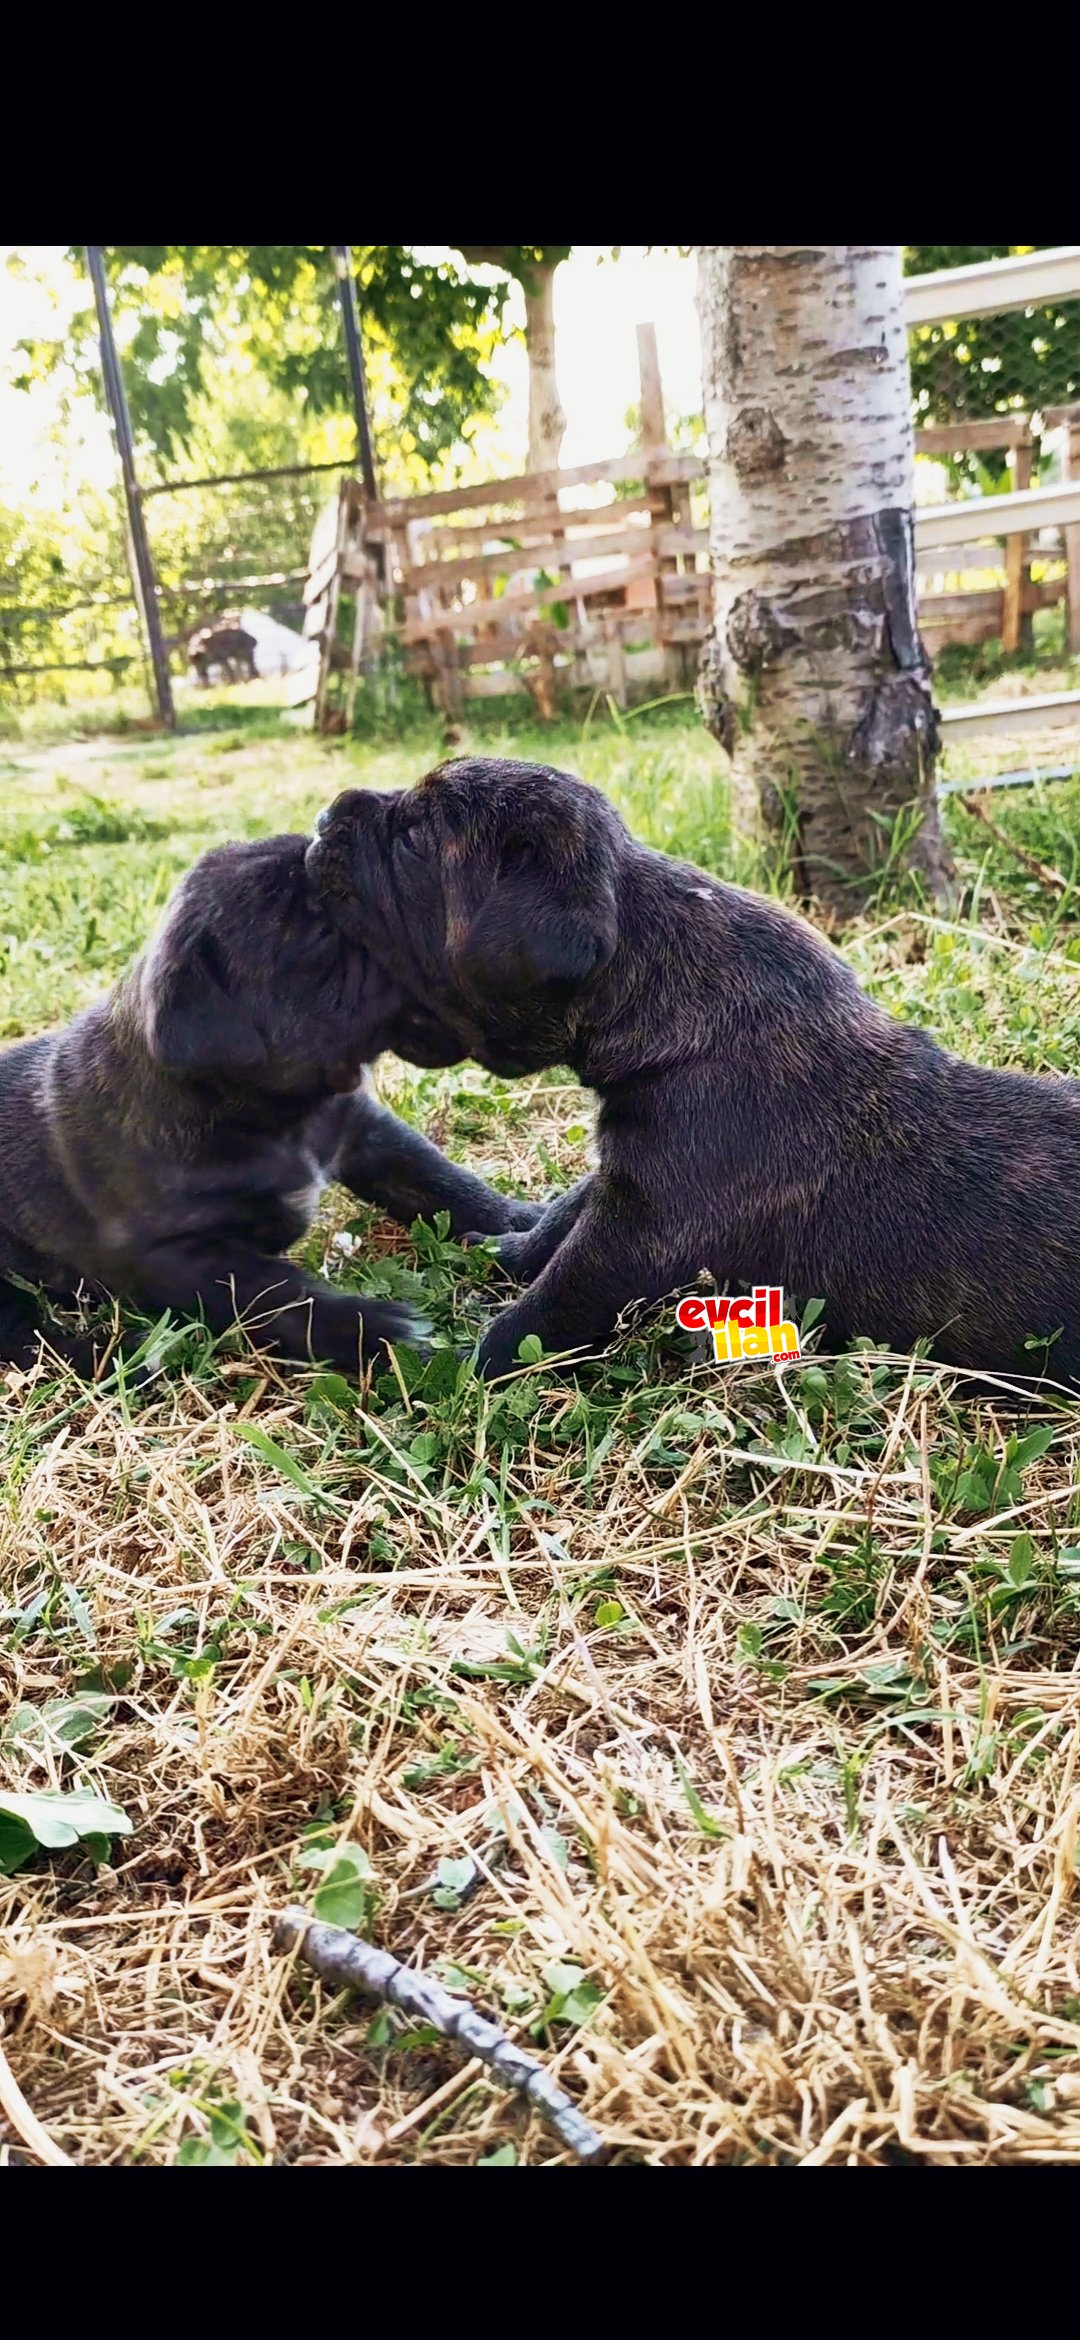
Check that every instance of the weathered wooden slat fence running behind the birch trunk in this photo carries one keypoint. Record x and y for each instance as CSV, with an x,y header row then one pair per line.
x,y
597,579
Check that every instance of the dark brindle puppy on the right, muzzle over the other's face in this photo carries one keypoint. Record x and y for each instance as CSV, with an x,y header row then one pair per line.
x,y
761,1117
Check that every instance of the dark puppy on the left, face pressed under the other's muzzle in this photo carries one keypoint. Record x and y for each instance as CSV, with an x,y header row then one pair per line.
x,y
172,1143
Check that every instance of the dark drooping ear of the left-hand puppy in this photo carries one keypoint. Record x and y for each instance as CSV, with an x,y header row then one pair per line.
x,y
193,1021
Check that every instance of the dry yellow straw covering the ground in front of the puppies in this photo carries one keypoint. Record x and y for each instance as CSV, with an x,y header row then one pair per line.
x,y
738,1740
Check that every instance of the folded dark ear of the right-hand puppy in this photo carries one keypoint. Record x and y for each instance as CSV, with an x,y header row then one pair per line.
x,y
546,928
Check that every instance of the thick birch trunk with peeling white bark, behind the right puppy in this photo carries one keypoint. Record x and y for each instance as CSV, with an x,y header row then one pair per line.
x,y
815,677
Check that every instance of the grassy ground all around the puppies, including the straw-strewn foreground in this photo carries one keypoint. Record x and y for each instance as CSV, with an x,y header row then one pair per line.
x,y
700,1667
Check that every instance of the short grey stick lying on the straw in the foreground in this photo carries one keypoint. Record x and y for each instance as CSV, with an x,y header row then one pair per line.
x,y
349,1964
